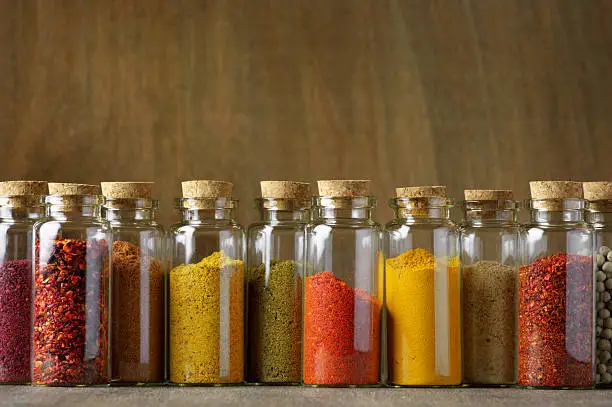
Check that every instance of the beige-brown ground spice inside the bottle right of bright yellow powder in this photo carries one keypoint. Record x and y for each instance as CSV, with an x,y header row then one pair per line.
x,y
489,328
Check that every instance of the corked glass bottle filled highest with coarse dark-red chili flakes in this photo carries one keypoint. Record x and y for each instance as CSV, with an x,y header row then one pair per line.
x,y
71,289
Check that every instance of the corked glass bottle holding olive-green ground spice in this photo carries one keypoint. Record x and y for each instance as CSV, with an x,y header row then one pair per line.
x,y
276,250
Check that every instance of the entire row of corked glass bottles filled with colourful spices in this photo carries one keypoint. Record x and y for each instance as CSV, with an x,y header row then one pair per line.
x,y
343,284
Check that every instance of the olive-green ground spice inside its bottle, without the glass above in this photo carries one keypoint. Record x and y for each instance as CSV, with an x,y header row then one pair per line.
x,y
275,322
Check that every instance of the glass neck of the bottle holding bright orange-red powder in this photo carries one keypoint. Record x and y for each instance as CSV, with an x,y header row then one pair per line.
x,y
338,208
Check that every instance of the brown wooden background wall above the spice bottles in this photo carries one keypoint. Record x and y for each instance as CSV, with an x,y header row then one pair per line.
x,y
467,93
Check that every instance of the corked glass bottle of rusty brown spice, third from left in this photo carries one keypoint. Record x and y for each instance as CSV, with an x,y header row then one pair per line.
x,y
137,335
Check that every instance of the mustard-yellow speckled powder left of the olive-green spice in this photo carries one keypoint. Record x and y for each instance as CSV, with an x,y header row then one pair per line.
x,y
206,325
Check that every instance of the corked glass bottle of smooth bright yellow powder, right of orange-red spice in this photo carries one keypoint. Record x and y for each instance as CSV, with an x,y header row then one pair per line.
x,y
422,291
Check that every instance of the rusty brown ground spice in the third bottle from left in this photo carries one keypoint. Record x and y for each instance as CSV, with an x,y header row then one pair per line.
x,y
138,316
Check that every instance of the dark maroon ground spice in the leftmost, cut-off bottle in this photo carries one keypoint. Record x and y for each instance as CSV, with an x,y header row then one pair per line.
x,y
15,323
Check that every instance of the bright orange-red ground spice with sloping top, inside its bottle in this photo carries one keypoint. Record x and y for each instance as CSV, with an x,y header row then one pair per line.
x,y
341,333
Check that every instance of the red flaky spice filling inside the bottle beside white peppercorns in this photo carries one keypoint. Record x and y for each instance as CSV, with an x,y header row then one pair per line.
x,y
555,322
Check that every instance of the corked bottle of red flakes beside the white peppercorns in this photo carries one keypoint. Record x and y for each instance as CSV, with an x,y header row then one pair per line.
x,y
555,321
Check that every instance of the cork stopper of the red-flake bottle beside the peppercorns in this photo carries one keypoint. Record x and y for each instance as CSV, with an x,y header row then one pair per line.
x,y
552,193
